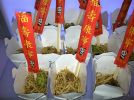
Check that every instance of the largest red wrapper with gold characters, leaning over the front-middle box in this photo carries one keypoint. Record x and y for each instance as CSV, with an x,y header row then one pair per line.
x,y
88,29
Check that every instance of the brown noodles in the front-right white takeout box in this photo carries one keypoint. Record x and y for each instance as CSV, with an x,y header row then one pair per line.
x,y
106,79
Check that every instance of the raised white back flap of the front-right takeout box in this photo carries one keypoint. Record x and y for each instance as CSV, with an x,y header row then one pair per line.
x,y
104,63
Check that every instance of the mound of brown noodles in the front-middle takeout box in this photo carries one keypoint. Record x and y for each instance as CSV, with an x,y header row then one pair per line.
x,y
66,82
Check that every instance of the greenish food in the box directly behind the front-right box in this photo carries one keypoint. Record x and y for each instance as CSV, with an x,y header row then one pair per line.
x,y
99,49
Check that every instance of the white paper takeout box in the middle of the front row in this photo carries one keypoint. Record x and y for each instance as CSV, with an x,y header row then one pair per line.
x,y
68,62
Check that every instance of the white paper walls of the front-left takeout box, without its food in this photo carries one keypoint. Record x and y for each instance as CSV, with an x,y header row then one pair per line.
x,y
20,75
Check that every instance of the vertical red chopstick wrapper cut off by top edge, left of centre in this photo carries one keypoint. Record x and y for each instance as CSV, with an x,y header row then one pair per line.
x,y
59,14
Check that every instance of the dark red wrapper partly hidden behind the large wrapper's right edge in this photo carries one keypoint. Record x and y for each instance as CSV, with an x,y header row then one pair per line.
x,y
98,29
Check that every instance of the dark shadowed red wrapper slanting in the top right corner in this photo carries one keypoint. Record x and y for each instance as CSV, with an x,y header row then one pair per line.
x,y
122,14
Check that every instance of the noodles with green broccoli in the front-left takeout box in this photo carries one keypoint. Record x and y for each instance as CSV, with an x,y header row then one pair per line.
x,y
38,85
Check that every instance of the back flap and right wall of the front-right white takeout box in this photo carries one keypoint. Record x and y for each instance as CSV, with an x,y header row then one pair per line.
x,y
104,64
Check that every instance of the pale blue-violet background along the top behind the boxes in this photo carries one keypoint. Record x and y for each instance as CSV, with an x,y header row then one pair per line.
x,y
10,6
